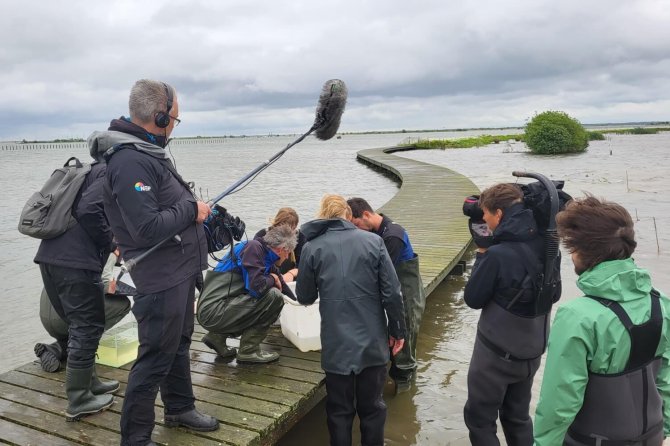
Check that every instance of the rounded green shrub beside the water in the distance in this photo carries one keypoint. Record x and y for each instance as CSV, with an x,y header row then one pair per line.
x,y
554,132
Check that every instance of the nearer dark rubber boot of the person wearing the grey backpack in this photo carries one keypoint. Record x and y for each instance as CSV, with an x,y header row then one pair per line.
x,y
81,401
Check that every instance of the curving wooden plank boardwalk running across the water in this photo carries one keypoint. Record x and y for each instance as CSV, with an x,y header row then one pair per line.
x,y
256,404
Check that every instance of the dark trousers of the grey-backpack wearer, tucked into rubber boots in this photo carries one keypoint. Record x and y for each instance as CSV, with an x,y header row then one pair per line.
x,y
78,298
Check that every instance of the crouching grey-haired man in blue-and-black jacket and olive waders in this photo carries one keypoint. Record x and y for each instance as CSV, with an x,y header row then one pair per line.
x,y
242,296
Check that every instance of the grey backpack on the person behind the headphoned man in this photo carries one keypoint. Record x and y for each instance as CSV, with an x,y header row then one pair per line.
x,y
48,212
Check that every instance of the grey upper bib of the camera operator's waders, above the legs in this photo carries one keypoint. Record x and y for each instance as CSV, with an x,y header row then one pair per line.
x,y
511,335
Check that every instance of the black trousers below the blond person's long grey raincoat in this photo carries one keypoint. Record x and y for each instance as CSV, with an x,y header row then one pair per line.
x,y
351,394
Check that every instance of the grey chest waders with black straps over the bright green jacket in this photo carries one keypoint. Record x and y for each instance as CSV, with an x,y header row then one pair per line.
x,y
625,408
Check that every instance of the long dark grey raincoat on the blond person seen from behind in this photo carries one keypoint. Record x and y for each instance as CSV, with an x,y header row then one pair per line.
x,y
351,273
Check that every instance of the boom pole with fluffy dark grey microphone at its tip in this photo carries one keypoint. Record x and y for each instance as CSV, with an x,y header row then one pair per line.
x,y
329,111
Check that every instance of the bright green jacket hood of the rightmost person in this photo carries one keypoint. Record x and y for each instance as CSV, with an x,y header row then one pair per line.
x,y
618,280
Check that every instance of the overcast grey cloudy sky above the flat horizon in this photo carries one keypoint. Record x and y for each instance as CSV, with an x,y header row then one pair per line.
x,y
257,67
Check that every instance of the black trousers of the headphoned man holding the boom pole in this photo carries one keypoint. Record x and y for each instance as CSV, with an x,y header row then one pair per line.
x,y
165,327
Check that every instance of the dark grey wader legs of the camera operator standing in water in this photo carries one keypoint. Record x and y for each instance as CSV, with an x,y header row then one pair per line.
x,y
498,386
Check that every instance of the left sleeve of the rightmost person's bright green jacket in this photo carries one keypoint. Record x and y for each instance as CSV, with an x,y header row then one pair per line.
x,y
565,378
